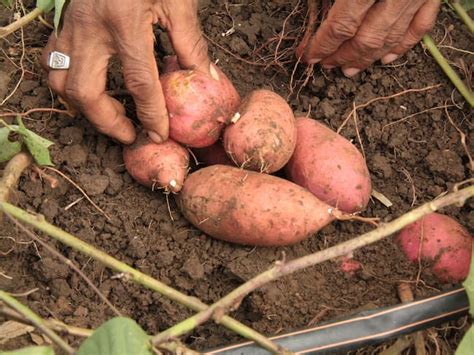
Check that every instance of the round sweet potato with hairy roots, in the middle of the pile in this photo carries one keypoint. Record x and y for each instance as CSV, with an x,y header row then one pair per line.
x,y
264,137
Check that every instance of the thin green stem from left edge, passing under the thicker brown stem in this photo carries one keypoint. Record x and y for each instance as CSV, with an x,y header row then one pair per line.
x,y
128,272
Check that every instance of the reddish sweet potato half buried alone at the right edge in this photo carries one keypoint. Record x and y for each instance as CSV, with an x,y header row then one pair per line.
x,y
444,243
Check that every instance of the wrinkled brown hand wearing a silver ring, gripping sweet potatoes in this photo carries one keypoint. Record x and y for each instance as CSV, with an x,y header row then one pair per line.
x,y
96,30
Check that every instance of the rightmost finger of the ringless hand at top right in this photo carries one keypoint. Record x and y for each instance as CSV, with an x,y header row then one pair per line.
x,y
421,24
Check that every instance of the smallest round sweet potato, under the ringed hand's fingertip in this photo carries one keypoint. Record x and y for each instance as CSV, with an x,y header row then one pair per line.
x,y
157,165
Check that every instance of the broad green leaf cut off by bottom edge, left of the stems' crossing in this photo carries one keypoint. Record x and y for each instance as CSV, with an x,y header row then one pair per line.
x,y
118,336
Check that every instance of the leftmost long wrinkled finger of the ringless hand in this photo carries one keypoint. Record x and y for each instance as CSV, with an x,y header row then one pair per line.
x,y
342,23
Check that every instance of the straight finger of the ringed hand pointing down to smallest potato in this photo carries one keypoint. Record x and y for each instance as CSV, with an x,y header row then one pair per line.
x,y
141,78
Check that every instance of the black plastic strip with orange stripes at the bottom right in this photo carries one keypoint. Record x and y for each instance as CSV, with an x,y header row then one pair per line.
x,y
366,328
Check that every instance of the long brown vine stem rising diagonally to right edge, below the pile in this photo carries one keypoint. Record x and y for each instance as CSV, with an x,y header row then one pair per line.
x,y
281,269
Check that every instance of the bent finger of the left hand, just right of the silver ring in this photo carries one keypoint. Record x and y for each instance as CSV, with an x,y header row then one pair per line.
x,y
85,88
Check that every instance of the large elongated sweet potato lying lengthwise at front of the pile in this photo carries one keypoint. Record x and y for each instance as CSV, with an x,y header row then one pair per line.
x,y
250,208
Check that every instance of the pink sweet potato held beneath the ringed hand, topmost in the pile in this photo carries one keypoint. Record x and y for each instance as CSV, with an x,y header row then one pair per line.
x,y
198,105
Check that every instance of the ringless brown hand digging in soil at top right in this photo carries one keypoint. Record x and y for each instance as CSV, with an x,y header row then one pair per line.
x,y
357,33
